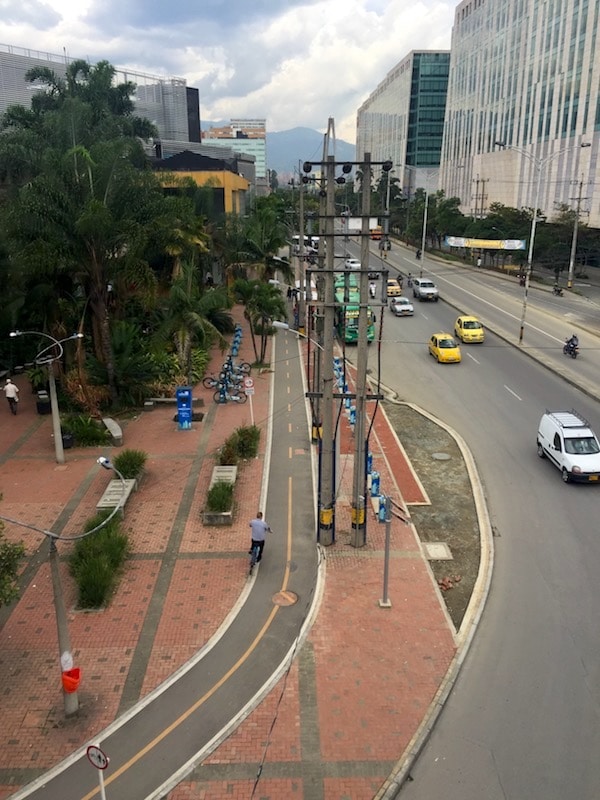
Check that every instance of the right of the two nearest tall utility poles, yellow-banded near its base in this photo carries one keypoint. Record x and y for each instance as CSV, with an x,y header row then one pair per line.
x,y
359,532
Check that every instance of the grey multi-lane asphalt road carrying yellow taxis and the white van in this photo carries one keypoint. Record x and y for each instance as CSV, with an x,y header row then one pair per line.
x,y
523,720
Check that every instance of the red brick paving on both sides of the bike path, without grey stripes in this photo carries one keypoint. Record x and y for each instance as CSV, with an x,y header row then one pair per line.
x,y
373,671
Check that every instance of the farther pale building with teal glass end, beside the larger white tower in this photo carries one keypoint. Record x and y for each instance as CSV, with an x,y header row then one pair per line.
x,y
403,119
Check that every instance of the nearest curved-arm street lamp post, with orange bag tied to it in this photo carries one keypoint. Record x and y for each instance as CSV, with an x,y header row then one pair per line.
x,y
70,699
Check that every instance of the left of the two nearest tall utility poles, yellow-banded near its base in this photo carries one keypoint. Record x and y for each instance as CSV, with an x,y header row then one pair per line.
x,y
327,509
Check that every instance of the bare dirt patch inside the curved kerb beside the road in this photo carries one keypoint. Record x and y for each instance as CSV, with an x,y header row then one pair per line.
x,y
451,515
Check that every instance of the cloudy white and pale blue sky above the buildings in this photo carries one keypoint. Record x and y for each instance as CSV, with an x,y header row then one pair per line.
x,y
292,62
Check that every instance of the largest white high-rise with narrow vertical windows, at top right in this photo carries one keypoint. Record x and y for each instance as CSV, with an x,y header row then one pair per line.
x,y
523,73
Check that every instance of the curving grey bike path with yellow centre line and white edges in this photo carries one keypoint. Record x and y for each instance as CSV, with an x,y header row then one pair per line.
x,y
175,730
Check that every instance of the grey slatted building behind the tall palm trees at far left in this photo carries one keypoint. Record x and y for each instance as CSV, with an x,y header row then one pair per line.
x,y
164,101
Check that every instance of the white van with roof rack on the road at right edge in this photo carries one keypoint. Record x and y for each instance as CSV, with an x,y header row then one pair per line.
x,y
566,438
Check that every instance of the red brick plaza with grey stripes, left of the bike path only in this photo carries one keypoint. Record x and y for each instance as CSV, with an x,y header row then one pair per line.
x,y
180,583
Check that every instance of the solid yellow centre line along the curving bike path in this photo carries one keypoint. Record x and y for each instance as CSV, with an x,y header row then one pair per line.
x,y
224,678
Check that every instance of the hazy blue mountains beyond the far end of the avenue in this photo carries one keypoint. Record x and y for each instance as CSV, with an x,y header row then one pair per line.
x,y
287,149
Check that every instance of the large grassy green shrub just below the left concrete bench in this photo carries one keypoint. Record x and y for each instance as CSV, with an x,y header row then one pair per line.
x,y
97,561
